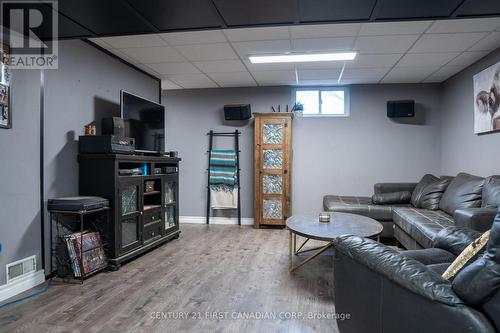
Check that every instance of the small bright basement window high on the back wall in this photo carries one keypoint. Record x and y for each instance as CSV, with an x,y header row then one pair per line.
x,y
323,101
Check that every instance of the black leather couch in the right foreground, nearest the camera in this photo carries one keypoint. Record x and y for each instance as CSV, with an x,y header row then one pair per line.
x,y
383,290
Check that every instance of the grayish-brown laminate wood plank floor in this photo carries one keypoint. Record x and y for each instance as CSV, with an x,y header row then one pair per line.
x,y
217,268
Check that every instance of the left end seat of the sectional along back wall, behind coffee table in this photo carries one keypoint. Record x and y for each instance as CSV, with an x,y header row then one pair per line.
x,y
358,205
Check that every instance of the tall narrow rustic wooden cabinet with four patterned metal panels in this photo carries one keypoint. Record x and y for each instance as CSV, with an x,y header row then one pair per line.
x,y
272,167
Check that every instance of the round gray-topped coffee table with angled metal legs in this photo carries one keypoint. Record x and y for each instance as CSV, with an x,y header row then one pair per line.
x,y
309,227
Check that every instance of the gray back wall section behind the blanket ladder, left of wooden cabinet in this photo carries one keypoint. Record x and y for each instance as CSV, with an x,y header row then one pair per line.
x,y
190,114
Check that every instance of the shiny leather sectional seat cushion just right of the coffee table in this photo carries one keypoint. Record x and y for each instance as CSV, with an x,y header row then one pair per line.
x,y
422,224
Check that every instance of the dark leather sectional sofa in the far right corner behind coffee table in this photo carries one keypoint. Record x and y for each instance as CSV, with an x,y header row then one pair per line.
x,y
415,212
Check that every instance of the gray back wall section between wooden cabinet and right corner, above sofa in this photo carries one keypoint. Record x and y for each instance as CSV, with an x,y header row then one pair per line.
x,y
348,155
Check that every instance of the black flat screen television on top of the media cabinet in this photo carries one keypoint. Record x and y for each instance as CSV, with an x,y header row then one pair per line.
x,y
144,121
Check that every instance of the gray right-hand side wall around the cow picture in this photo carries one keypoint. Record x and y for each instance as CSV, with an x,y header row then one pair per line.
x,y
462,150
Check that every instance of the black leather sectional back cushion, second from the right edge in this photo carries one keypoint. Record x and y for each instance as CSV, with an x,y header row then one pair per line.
x,y
464,191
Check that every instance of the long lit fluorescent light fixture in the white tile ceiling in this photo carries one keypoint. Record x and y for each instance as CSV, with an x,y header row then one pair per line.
x,y
304,57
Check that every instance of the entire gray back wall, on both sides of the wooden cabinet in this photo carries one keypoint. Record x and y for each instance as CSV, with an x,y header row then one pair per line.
x,y
331,155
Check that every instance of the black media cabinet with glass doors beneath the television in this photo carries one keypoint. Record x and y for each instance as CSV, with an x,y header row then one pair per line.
x,y
143,192
